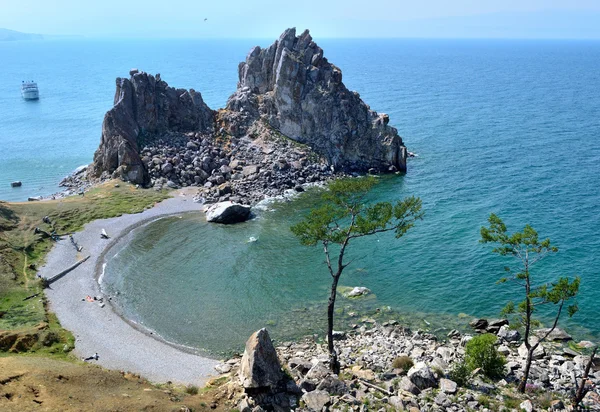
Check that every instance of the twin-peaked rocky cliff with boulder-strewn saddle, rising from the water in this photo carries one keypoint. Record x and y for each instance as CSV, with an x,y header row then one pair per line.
x,y
157,135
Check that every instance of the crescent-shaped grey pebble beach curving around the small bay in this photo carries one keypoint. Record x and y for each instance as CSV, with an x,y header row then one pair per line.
x,y
120,343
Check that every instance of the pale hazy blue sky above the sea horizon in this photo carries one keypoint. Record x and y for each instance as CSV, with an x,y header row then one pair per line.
x,y
268,18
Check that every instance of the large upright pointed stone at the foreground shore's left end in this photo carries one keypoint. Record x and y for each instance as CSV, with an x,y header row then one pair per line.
x,y
260,366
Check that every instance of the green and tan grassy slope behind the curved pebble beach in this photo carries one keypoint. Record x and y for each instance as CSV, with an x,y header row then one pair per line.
x,y
22,251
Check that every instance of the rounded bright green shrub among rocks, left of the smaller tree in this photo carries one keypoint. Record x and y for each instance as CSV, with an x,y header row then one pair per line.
x,y
481,353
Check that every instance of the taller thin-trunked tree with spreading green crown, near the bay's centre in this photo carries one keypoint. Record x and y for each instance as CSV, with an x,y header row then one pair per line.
x,y
344,216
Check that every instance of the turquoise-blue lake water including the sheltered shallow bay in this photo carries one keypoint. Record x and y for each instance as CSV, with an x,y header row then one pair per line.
x,y
509,127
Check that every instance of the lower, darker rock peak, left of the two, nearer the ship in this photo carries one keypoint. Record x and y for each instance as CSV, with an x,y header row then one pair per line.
x,y
145,106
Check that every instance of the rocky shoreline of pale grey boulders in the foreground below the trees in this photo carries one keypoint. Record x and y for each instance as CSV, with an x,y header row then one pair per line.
x,y
372,379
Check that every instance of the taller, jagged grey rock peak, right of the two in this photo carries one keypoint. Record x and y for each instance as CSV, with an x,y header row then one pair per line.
x,y
292,88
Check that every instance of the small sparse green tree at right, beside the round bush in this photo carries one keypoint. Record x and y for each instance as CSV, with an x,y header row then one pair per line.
x,y
527,250
